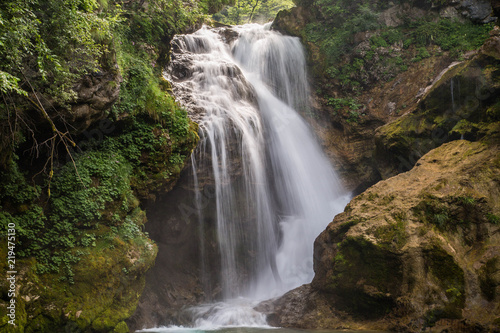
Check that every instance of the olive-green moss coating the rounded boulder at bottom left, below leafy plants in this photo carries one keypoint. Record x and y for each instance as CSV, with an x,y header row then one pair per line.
x,y
102,296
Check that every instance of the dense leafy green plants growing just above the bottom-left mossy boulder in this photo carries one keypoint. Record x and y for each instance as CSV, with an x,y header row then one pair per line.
x,y
54,231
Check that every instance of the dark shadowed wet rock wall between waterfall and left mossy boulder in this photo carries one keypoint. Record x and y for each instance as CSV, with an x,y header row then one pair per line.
x,y
177,280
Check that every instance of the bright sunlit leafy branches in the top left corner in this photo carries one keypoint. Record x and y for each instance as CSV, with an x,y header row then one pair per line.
x,y
50,43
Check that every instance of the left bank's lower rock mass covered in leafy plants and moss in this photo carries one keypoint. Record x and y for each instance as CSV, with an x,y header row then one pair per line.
x,y
82,252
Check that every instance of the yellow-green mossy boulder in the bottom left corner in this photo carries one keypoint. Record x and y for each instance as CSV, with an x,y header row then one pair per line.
x,y
107,283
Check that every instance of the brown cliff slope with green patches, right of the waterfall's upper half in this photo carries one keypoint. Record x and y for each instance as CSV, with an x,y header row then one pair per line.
x,y
385,91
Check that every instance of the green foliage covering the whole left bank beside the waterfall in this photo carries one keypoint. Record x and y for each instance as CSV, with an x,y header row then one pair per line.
x,y
51,45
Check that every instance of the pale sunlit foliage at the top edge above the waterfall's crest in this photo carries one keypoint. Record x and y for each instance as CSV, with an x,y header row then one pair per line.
x,y
246,11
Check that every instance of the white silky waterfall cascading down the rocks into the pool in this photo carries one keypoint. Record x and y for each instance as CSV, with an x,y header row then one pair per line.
x,y
273,189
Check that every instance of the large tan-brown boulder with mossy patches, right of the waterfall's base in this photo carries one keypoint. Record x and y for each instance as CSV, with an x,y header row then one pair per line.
x,y
411,251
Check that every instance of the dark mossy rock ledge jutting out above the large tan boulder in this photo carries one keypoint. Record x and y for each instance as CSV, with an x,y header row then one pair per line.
x,y
460,103
